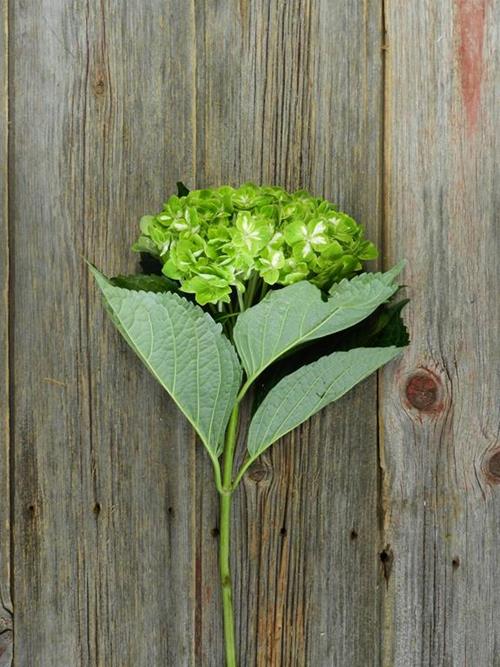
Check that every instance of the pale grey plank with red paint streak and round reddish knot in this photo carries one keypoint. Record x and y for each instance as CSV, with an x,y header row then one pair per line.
x,y
441,484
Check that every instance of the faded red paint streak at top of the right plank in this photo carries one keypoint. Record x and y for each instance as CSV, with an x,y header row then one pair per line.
x,y
470,18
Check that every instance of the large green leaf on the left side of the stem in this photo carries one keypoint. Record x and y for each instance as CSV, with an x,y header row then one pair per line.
x,y
186,352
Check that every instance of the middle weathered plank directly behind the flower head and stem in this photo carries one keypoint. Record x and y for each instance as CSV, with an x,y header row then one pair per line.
x,y
290,93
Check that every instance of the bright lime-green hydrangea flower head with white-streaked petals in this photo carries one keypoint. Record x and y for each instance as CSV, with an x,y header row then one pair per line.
x,y
221,241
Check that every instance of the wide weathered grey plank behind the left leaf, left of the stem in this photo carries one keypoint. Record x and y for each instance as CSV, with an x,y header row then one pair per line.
x,y
103,126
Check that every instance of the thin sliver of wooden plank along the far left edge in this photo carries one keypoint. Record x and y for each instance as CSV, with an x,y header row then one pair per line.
x,y
5,592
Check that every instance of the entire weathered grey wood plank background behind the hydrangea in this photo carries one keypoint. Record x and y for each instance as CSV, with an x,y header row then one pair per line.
x,y
372,535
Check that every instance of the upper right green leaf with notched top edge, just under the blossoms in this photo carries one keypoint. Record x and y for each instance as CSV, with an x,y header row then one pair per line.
x,y
299,313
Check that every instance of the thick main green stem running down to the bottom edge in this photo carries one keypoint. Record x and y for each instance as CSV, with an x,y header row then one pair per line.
x,y
225,538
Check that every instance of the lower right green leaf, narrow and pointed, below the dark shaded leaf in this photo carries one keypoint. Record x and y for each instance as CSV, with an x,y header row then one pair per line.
x,y
301,394
